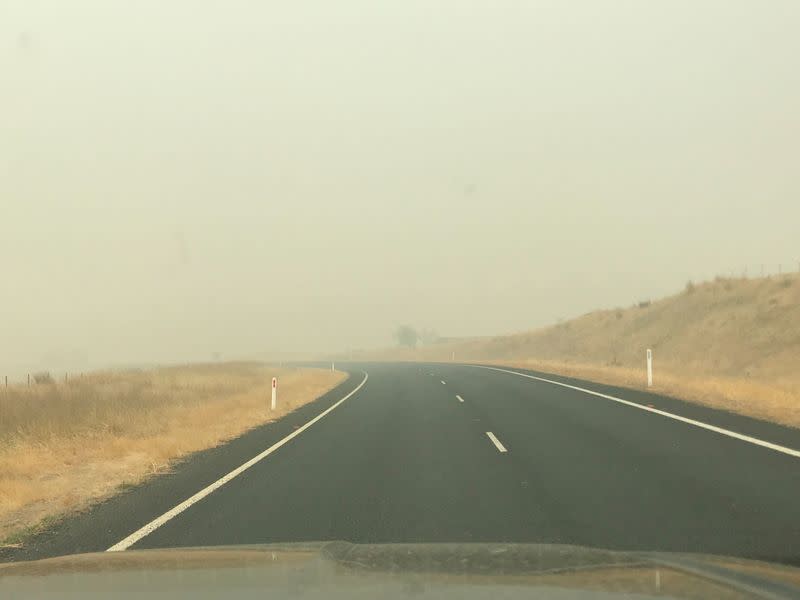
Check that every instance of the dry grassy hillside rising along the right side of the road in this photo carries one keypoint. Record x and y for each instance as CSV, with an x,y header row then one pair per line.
x,y
730,343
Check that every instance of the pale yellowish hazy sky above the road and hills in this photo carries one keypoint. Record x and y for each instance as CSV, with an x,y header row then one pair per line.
x,y
179,178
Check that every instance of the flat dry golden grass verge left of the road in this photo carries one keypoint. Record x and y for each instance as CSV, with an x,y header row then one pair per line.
x,y
63,446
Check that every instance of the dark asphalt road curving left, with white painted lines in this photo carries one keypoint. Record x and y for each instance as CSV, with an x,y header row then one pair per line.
x,y
435,453
